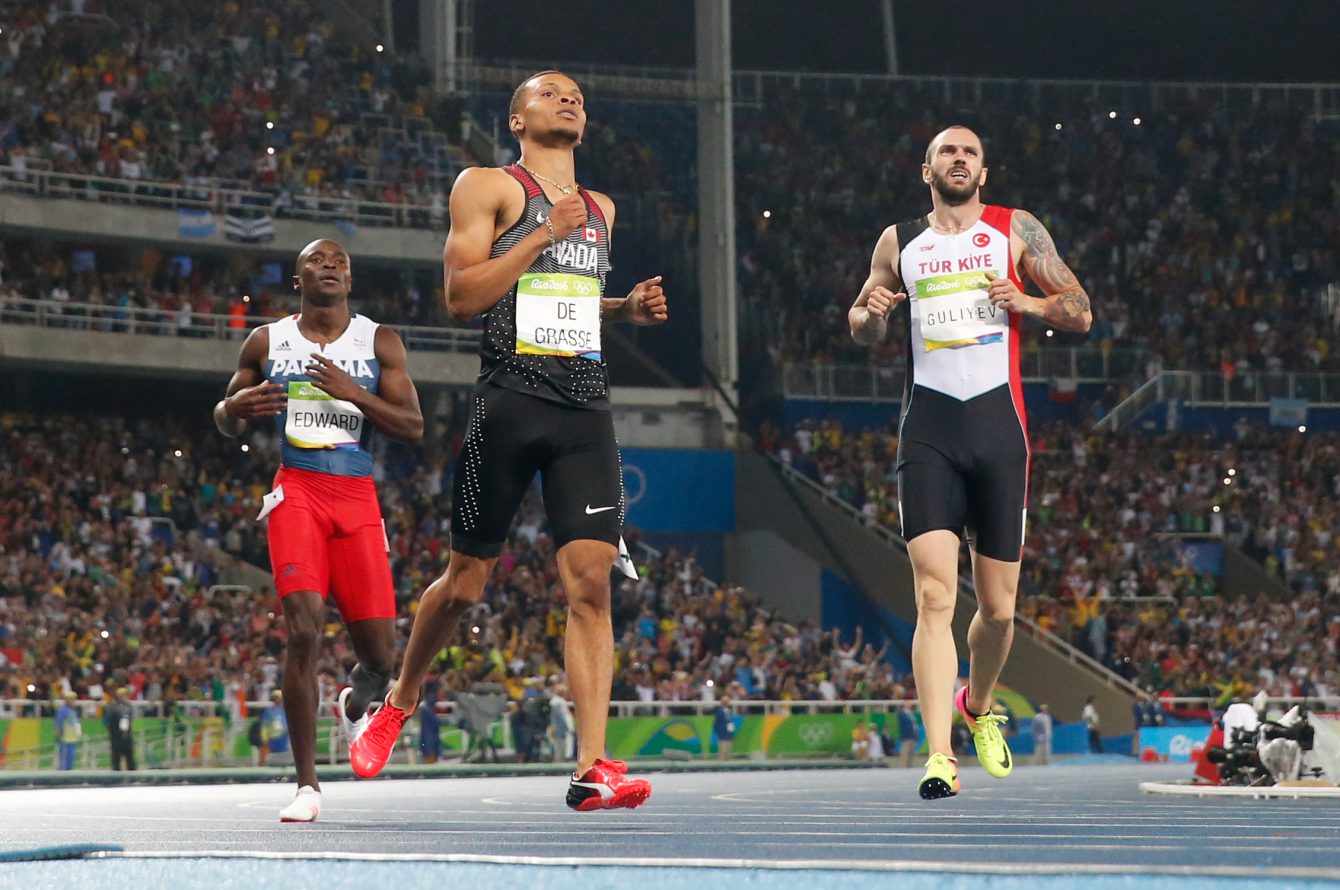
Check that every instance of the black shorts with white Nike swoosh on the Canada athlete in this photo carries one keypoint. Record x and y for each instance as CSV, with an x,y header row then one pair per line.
x,y
513,438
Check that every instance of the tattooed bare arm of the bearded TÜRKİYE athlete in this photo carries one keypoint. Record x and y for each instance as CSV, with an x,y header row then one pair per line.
x,y
1067,305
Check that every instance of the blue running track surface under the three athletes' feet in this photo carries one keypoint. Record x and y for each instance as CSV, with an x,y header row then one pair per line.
x,y
799,829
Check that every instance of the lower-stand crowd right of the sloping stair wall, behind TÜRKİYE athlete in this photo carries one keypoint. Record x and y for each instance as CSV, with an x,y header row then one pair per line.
x,y
1106,518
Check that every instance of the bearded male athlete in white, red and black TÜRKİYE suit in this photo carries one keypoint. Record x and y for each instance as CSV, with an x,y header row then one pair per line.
x,y
963,442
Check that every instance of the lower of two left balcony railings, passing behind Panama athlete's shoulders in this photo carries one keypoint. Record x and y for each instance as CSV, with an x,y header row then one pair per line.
x,y
124,320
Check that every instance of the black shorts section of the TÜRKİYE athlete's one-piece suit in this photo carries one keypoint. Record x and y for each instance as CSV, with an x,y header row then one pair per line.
x,y
964,467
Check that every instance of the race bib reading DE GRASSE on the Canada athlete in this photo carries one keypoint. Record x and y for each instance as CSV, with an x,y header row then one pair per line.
x,y
558,314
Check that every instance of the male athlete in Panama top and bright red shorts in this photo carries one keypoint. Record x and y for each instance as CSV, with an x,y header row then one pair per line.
x,y
326,379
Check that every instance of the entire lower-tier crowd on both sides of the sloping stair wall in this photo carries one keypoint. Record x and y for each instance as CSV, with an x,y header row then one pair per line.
x,y
98,589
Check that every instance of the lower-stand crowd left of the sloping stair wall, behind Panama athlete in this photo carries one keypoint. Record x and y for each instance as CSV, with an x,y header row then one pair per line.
x,y
101,585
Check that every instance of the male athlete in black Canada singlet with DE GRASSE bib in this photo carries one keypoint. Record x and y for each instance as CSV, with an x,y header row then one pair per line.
x,y
530,250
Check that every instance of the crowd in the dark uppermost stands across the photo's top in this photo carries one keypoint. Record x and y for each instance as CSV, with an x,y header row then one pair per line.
x,y
1140,210
